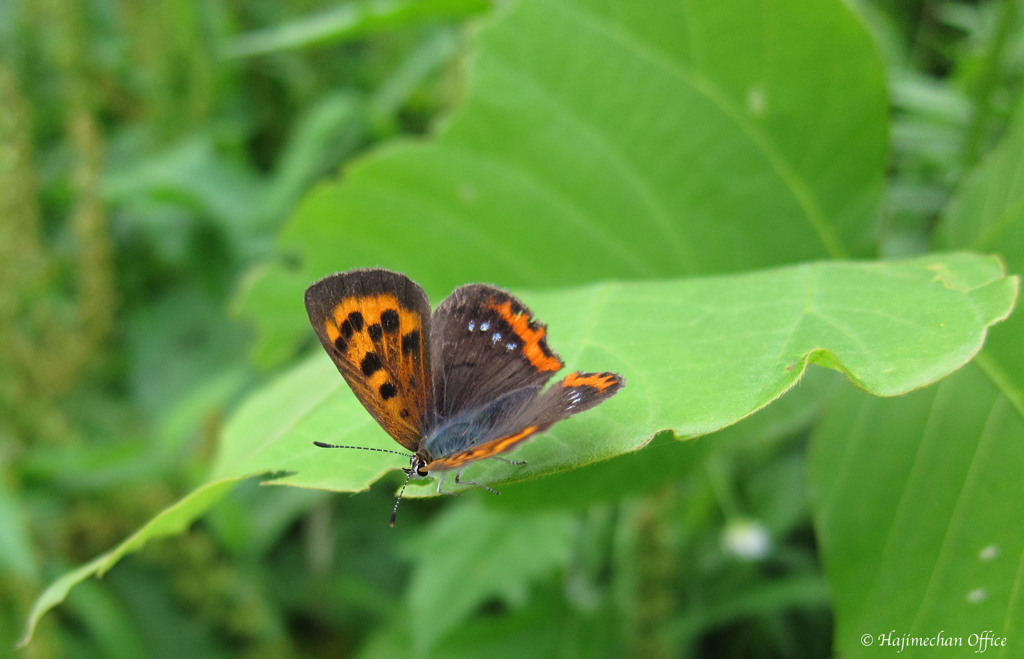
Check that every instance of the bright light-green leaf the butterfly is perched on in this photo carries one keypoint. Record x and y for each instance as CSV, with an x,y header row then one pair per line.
x,y
698,356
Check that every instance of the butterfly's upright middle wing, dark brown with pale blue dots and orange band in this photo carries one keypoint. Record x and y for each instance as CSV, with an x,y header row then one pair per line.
x,y
486,343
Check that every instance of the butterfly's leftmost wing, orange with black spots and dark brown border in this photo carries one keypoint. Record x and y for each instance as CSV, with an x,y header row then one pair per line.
x,y
375,325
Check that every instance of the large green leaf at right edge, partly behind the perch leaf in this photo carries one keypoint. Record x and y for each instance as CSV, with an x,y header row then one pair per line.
x,y
918,501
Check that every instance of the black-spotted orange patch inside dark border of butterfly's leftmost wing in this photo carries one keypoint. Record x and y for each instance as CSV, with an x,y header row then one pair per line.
x,y
379,347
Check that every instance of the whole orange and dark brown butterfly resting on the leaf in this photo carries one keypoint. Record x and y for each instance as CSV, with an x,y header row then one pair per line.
x,y
453,387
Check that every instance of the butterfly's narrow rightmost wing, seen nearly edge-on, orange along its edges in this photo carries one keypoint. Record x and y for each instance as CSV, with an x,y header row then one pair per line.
x,y
575,393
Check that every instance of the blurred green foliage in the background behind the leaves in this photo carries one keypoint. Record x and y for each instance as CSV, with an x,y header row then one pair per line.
x,y
152,153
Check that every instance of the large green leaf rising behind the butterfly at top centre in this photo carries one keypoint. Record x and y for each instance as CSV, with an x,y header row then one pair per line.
x,y
654,140
